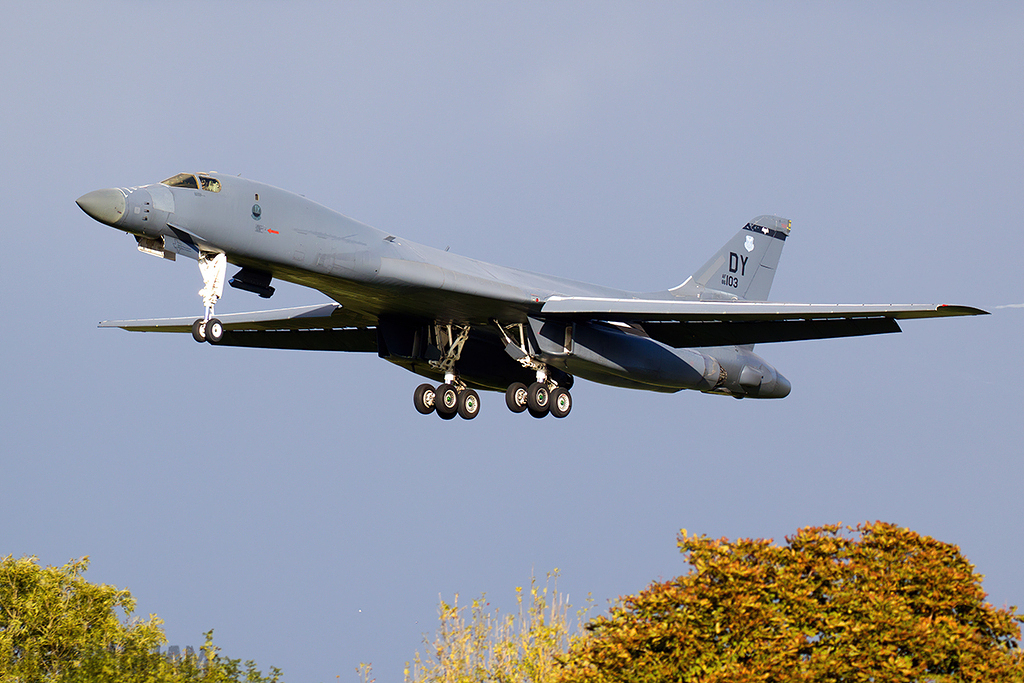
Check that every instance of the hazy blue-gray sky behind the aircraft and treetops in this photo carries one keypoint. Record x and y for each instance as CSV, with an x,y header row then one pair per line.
x,y
297,504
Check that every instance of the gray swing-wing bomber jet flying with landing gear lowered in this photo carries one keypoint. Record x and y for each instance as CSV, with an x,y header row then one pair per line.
x,y
471,325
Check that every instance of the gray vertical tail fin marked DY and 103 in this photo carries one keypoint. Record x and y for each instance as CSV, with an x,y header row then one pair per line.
x,y
745,268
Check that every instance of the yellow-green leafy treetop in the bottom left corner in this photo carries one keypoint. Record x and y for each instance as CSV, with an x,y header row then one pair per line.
x,y
56,627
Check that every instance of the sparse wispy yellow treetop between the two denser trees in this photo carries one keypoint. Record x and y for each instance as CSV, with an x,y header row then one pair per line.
x,y
478,644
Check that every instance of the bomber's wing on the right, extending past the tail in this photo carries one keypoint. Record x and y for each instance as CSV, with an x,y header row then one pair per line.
x,y
695,324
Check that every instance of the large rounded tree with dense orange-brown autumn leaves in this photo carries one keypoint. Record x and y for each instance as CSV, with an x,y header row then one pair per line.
x,y
872,604
